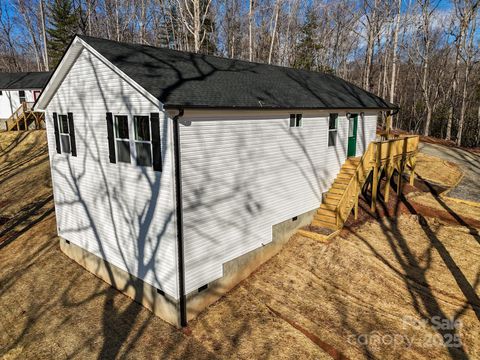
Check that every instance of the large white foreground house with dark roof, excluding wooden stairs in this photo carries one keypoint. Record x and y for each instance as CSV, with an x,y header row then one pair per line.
x,y
175,174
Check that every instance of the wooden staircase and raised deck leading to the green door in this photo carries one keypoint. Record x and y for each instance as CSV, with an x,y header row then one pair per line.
x,y
380,156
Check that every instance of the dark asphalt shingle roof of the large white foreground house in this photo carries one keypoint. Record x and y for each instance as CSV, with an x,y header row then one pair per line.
x,y
182,79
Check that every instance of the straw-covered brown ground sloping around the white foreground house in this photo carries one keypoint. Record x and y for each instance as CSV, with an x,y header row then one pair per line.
x,y
381,289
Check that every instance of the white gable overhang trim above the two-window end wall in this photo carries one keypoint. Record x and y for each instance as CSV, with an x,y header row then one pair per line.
x,y
68,59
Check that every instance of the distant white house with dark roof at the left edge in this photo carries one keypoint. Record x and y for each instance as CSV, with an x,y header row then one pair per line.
x,y
17,89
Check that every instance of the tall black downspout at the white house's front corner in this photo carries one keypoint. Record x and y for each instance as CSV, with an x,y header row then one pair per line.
x,y
179,214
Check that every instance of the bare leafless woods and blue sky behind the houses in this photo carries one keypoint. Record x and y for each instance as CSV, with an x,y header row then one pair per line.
x,y
422,55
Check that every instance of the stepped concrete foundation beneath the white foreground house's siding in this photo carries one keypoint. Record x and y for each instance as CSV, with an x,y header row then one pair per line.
x,y
166,307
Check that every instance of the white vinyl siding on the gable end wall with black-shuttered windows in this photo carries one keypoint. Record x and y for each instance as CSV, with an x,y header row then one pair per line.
x,y
120,212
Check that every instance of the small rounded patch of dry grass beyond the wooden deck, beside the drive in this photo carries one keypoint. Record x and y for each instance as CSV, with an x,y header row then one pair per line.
x,y
438,171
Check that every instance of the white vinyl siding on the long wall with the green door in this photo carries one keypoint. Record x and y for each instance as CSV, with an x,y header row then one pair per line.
x,y
244,173
